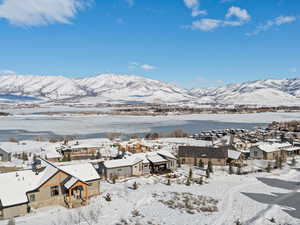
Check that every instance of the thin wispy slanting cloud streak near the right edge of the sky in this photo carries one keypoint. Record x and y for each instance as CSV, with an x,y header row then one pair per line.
x,y
278,21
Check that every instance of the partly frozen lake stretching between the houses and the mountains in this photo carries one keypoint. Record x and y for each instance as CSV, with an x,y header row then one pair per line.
x,y
30,126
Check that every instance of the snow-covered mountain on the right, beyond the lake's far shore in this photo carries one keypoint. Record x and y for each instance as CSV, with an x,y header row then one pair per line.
x,y
261,92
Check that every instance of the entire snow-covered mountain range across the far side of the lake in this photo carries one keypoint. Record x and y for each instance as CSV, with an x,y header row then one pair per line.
x,y
115,88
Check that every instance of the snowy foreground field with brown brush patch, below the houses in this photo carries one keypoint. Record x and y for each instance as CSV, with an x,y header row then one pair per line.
x,y
253,199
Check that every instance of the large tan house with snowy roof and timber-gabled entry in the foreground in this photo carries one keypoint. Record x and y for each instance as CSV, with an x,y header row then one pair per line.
x,y
69,186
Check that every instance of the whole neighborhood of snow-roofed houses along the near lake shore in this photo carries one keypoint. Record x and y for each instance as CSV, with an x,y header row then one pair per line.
x,y
35,174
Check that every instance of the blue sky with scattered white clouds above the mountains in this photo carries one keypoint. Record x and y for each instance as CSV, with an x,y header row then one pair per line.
x,y
191,43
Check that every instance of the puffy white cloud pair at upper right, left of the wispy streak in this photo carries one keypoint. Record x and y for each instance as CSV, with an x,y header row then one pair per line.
x,y
207,24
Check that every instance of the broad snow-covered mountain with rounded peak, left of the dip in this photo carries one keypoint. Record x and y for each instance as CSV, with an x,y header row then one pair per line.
x,y
102,88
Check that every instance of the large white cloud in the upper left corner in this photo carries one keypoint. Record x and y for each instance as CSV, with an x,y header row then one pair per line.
x,y
40,12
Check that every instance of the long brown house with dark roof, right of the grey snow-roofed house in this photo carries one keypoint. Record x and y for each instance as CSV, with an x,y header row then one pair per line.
x,y
193,154
